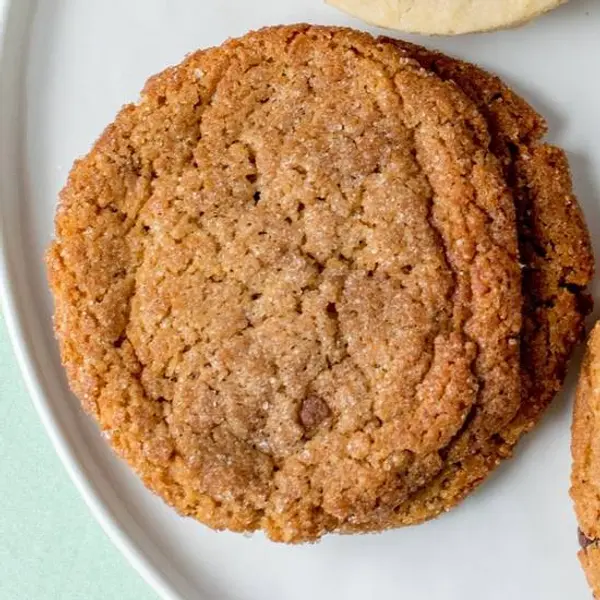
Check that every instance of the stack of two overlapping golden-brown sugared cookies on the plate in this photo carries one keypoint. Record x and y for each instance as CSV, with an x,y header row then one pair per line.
x,y
319,282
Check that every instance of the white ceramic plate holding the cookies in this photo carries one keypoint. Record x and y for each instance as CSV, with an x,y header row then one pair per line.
x,y
66,67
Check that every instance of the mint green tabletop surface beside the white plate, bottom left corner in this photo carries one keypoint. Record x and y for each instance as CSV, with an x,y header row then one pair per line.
x,y
51,548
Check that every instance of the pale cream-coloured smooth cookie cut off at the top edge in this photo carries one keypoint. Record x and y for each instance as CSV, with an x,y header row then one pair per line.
x,y
446,17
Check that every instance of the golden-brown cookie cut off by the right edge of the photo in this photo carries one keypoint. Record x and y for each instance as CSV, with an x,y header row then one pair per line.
x,y
585,446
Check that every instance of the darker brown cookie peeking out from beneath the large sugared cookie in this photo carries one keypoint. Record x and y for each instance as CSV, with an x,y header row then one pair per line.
x,y
555,253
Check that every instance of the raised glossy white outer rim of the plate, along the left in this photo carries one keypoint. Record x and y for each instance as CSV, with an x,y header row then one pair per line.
x,y
72,462
